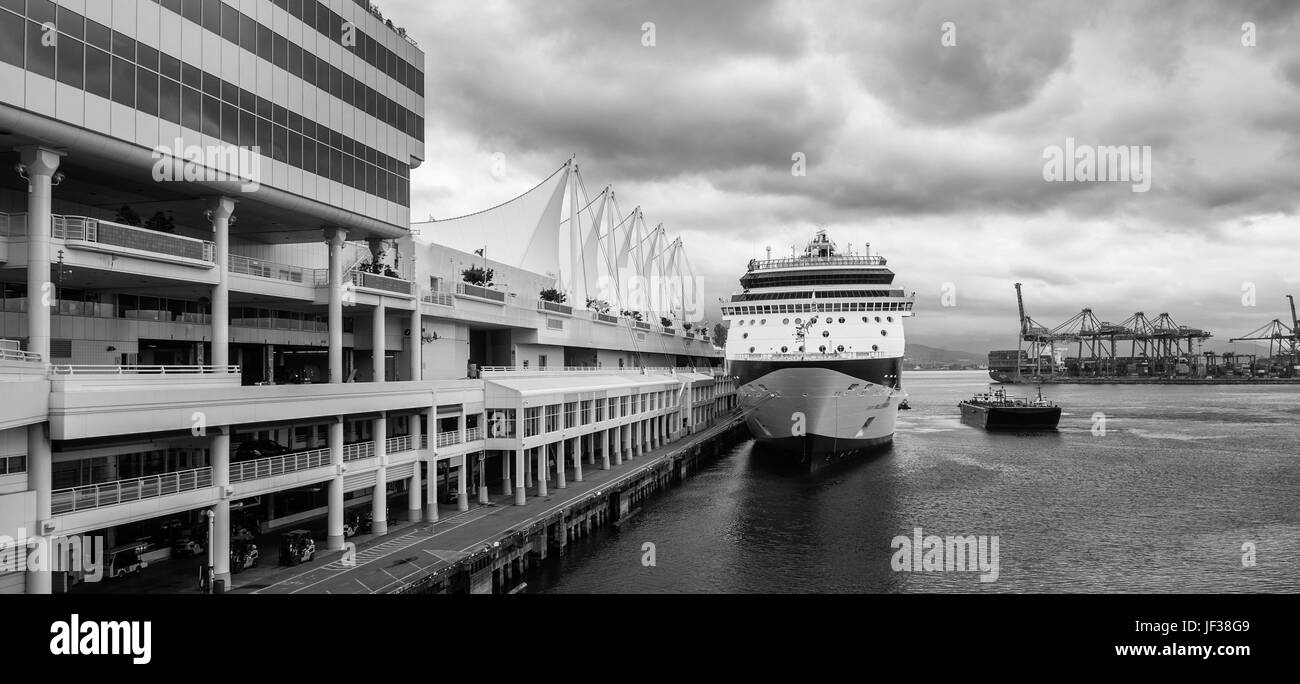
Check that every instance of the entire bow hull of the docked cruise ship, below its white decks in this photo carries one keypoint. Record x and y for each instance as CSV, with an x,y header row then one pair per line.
x,y
818,409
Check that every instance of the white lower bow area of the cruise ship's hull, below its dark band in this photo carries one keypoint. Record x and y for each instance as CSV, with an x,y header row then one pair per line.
x,y
850,419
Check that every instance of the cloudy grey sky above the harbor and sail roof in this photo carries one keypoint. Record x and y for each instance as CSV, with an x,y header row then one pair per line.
x,y
931,153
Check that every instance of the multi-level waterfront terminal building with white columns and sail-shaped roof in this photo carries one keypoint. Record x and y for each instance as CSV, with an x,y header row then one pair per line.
x,y
216,314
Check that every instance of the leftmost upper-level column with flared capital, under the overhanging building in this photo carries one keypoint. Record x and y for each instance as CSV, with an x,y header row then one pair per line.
x,y
41,166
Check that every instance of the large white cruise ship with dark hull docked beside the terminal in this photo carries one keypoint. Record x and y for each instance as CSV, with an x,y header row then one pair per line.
x,y
817,344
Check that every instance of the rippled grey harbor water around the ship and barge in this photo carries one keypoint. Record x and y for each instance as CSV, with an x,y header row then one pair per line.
x,y
1143,490
